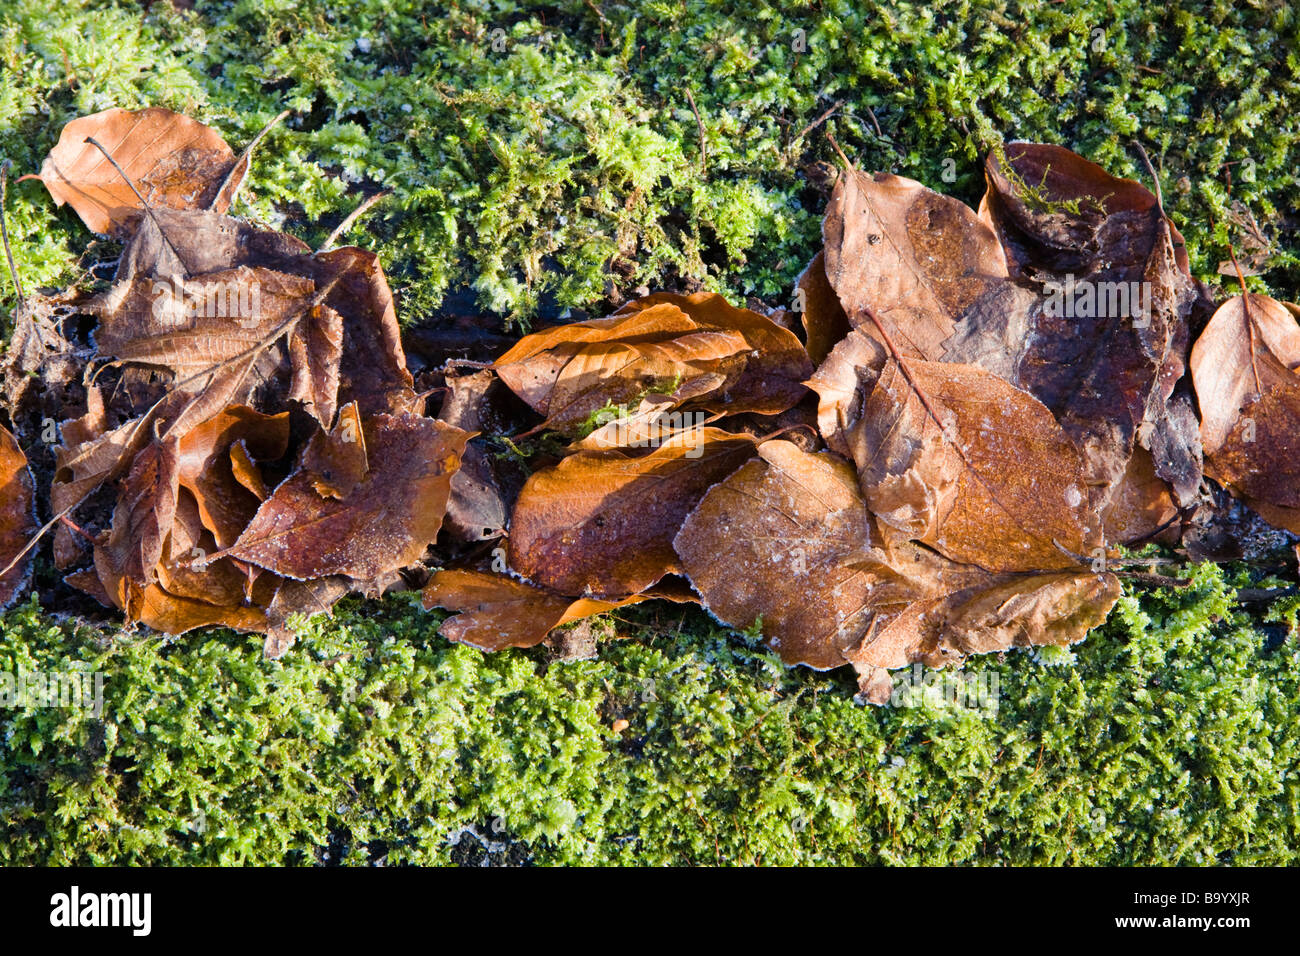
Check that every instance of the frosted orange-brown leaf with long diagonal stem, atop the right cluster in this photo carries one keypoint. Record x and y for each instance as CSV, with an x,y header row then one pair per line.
x,y
995,483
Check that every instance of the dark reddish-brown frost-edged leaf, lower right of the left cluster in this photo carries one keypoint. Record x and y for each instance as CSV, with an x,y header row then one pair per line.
x,y
384,524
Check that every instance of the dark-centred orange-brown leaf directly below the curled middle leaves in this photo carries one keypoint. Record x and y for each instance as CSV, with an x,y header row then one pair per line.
x,y
601,524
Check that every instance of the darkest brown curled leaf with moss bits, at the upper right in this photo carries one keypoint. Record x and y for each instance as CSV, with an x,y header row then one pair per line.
x,y
1116,378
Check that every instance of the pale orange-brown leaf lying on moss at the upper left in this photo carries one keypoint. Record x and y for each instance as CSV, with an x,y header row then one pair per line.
x,y
174,162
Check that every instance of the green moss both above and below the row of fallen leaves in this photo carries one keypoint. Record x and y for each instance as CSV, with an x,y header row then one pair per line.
x,y
545,158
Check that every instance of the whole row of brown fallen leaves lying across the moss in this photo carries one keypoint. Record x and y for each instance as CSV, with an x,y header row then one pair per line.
x,y
981,408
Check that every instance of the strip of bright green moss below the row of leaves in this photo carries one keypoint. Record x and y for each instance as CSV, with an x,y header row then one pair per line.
x,y
1172,737
